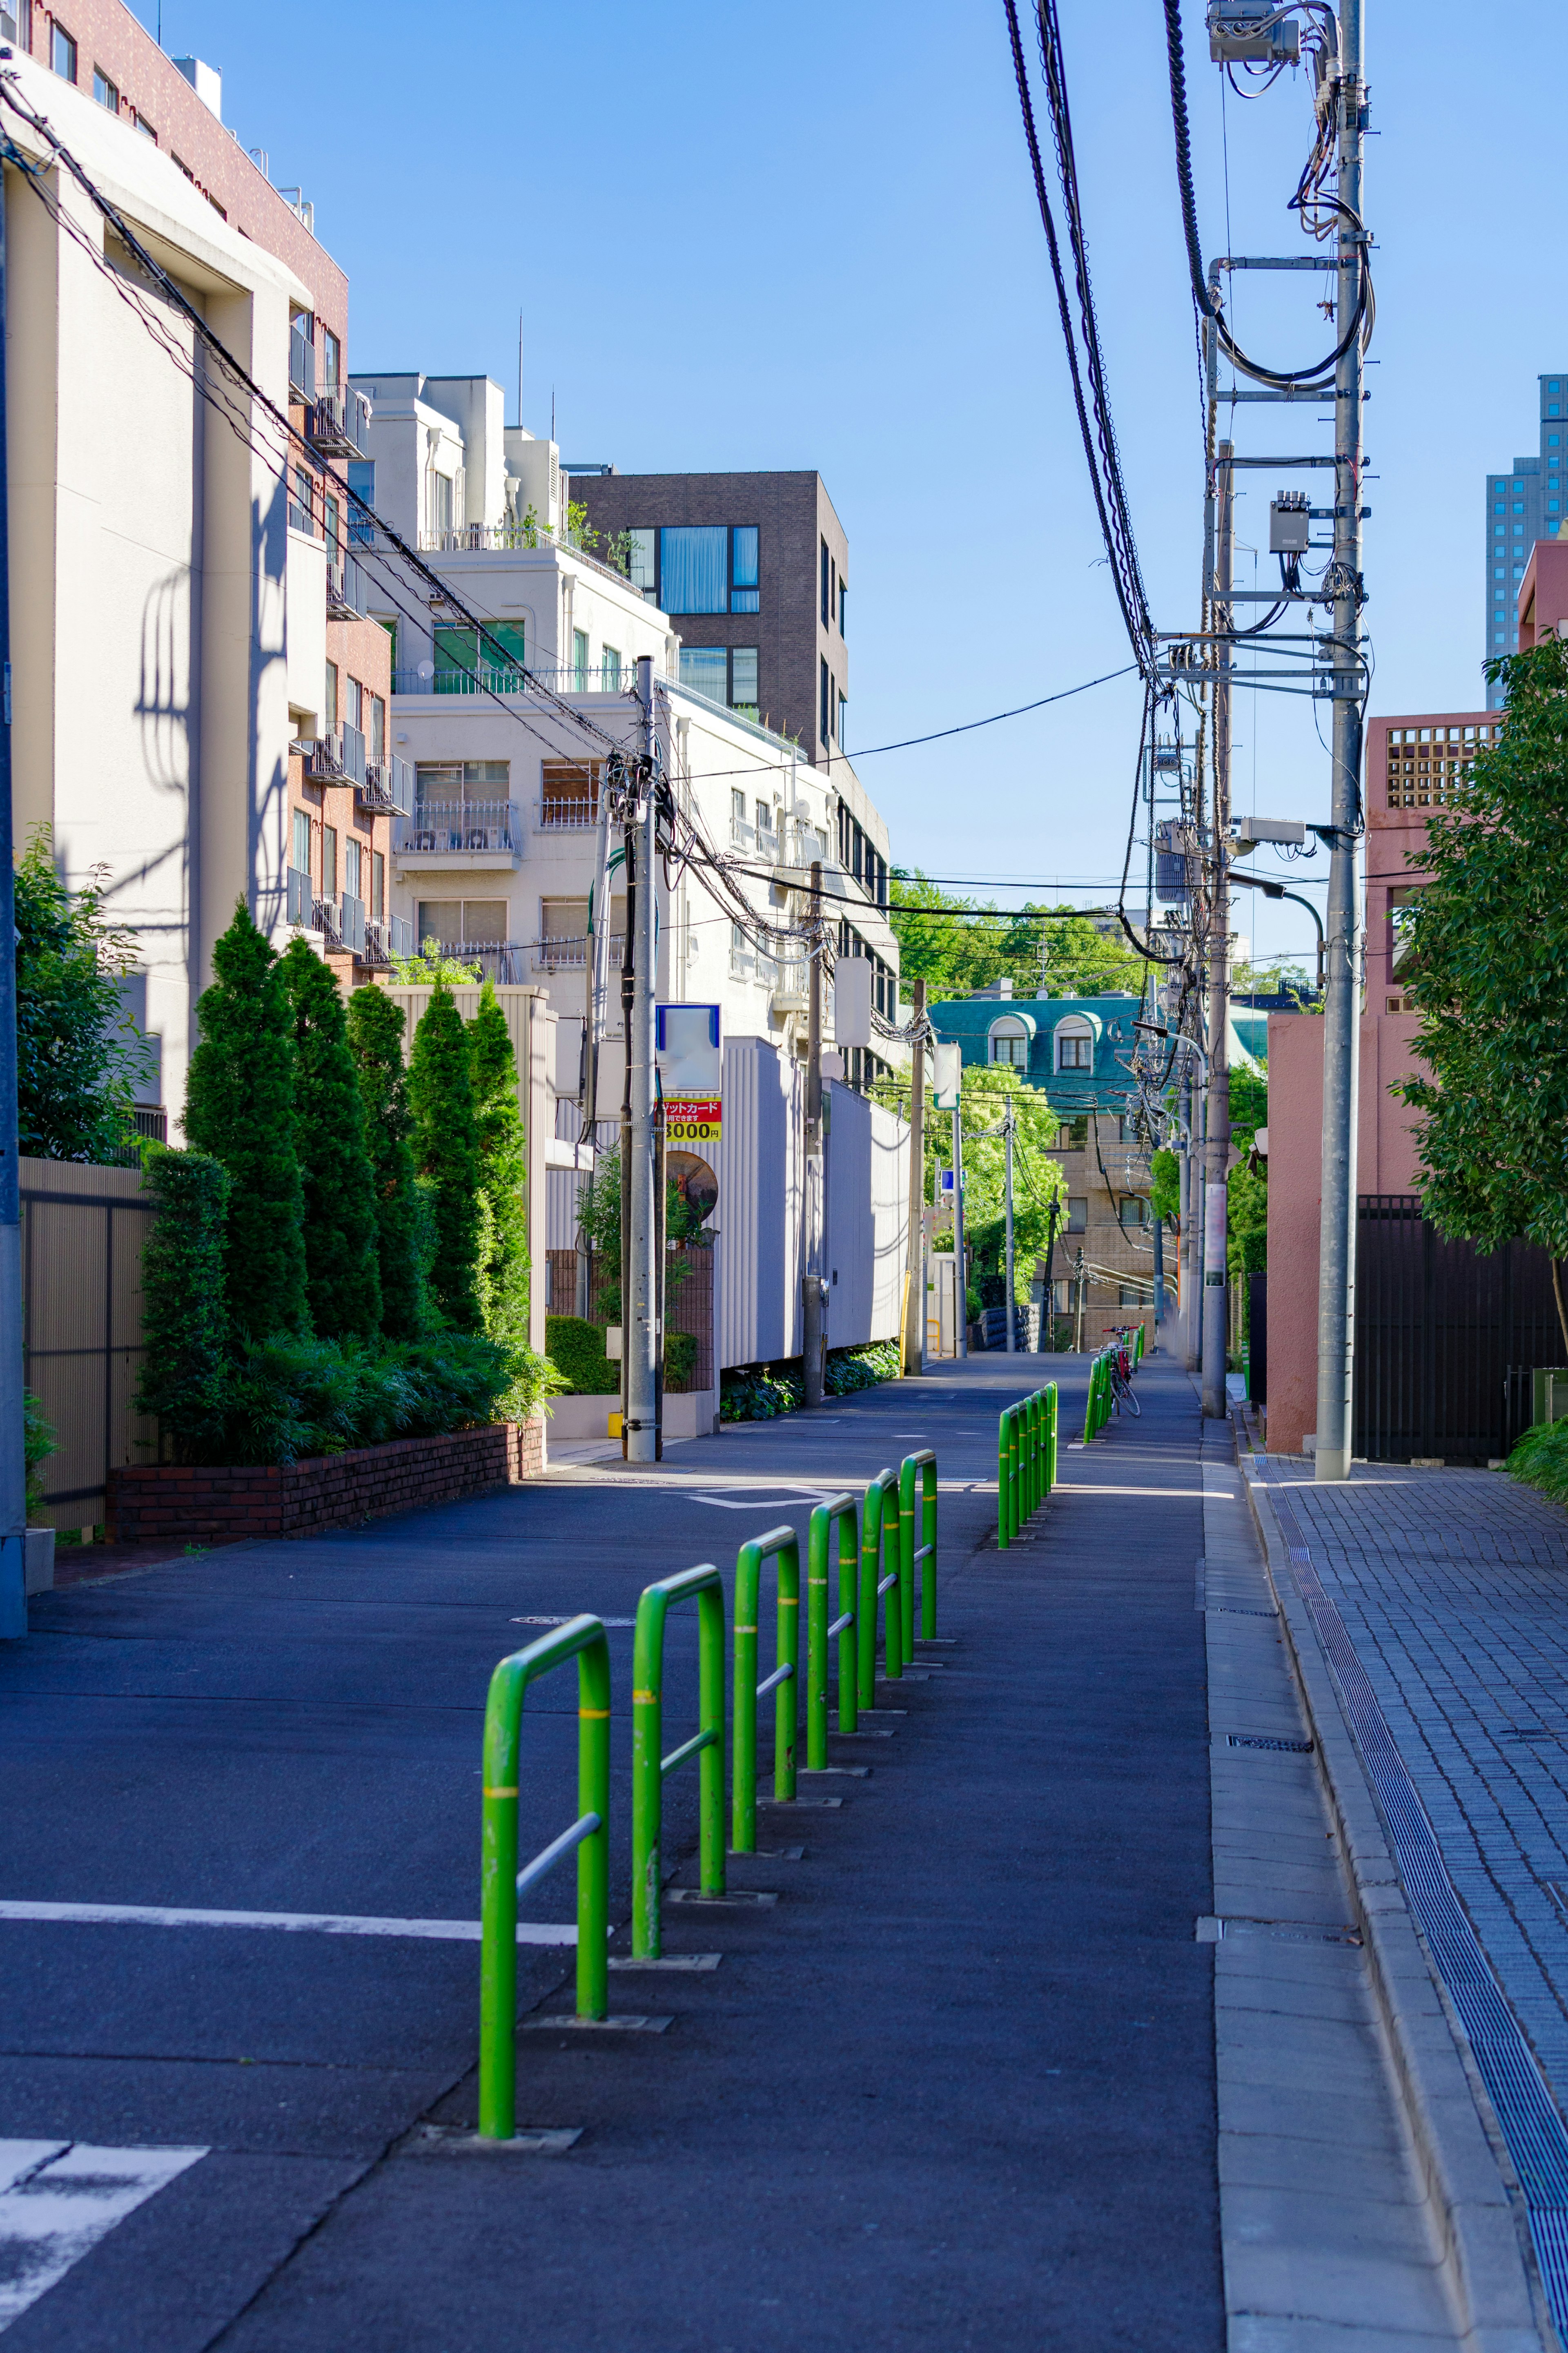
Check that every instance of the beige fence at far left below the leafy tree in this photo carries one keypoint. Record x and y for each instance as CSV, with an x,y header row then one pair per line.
x,y
81,1335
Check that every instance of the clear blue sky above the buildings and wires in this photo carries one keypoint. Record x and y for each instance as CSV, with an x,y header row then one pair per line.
x,y
808,239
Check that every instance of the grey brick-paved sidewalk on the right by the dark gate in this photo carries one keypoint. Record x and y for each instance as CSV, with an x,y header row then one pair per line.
x,y
1454,1589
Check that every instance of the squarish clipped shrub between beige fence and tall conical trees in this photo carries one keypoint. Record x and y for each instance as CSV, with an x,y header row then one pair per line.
x,y
185,1319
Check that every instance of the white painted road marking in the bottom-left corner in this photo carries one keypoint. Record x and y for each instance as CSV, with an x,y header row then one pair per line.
x,y
60,2199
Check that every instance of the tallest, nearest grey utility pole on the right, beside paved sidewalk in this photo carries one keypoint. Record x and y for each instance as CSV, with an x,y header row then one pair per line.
x,y
1343,919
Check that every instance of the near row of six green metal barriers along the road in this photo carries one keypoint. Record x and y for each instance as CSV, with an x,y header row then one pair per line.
x,y
885,1554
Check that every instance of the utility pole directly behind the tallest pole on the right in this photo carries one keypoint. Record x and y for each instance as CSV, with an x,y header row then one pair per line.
x,y
1217,1147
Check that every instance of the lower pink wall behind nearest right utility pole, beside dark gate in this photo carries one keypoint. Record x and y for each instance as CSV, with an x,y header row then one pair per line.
x,y
1386,1164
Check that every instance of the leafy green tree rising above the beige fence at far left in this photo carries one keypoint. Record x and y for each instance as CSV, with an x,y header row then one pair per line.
x,y
79,1055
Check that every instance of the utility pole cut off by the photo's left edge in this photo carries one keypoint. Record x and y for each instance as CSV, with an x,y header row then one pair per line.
x,y
13,1467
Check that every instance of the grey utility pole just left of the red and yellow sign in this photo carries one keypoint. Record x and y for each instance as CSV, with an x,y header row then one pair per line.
x,y
641,1333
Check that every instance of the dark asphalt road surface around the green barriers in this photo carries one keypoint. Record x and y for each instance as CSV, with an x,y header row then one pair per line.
x,y
953,2091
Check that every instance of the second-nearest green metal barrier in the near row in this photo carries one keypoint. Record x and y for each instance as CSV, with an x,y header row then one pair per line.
x,y
650,1764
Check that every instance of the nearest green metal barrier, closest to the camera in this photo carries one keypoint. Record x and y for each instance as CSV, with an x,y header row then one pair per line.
x,y
500,1877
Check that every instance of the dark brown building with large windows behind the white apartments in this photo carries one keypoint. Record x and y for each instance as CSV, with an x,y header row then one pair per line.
x,y
753,568
